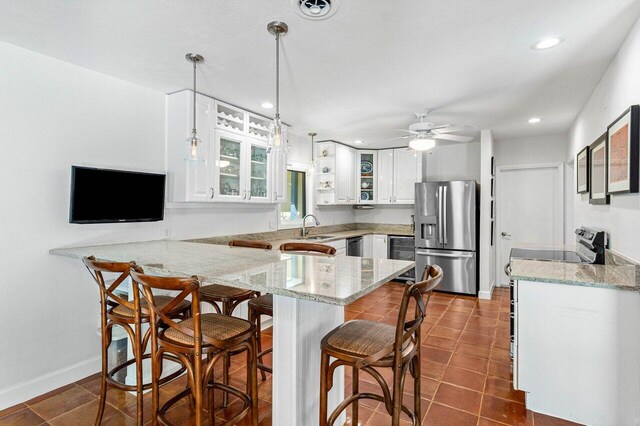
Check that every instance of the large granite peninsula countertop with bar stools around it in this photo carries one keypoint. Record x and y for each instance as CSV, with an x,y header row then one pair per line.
x,y
337,280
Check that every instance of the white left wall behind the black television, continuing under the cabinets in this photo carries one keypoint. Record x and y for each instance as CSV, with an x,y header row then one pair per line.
x,y
55,114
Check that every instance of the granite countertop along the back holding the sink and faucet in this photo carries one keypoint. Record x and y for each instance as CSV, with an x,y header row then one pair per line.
x,y
333,233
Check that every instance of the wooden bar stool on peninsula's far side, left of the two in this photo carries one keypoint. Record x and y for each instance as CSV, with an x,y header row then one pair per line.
x,y
225,299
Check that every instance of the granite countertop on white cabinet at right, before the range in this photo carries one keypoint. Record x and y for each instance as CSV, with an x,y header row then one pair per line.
x,y
619,277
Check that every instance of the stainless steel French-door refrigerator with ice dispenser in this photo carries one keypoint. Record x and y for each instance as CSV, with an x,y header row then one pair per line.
x,y
447,232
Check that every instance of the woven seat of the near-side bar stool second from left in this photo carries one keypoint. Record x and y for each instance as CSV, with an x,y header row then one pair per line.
x,y
216,326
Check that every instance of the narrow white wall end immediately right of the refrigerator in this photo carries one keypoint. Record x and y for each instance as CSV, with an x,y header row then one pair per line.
x,y
487,251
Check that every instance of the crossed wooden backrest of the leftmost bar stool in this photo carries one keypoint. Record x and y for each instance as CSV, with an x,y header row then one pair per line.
x,y
108,296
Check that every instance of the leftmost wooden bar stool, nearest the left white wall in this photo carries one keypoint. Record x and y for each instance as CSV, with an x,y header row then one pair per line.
x,y
127,314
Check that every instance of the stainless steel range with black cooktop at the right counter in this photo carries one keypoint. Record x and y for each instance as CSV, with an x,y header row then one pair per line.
x,y
590,248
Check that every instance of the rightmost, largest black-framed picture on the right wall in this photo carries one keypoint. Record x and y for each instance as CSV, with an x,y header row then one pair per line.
x,y
622,153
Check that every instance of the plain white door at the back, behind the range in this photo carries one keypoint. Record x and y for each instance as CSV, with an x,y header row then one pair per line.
x,y
530,209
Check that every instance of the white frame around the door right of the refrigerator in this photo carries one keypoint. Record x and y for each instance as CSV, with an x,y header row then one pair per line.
x,y
560,231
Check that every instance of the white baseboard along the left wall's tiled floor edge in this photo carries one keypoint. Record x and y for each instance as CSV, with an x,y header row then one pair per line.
x,y
40,385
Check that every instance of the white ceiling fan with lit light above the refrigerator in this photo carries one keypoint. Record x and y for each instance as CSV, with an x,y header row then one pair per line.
x,y
423,134
